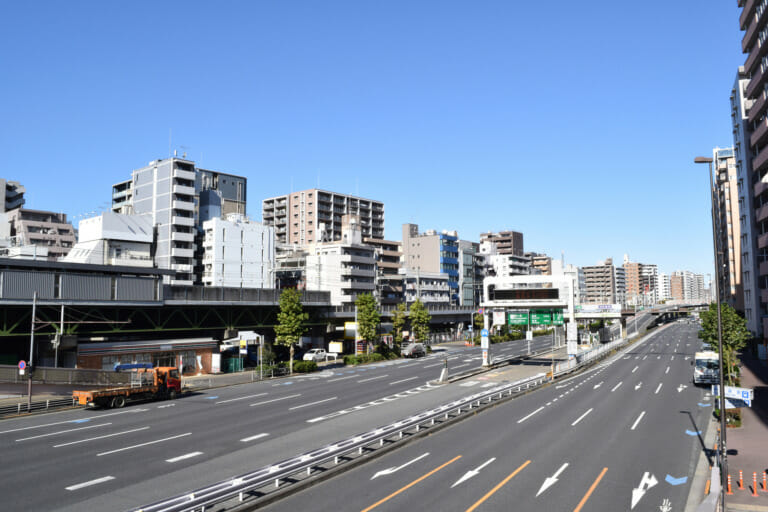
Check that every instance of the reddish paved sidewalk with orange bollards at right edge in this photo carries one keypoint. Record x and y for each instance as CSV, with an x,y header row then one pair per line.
x,y
748,446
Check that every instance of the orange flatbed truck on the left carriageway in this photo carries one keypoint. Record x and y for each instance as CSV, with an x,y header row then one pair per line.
x,y
147,383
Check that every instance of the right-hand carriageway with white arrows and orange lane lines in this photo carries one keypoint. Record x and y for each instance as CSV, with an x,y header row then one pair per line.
x,y
623,436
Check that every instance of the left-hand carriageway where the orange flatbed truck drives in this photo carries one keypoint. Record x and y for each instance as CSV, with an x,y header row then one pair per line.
x,y
118,459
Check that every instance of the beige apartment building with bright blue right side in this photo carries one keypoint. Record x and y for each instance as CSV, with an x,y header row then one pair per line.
x,y
433,252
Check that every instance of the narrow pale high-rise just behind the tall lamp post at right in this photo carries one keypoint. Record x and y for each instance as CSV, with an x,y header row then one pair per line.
x,y
728,227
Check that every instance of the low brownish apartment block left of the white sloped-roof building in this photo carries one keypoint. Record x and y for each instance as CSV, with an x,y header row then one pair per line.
x,y
48,231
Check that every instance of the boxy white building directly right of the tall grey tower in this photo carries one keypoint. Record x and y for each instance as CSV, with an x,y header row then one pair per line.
x,y
238,253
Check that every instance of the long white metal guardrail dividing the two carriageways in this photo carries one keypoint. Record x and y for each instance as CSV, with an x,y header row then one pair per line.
x,y
266,480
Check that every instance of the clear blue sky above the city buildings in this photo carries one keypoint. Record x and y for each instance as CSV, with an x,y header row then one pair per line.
x,y
573,122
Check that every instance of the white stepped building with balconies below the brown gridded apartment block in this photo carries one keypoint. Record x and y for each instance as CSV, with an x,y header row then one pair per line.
x,y
346,268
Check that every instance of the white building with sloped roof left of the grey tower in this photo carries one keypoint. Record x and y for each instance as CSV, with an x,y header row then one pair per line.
x,y
113,239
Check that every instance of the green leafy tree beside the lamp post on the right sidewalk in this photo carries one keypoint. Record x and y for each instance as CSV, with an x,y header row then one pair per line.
x,y
735,335
